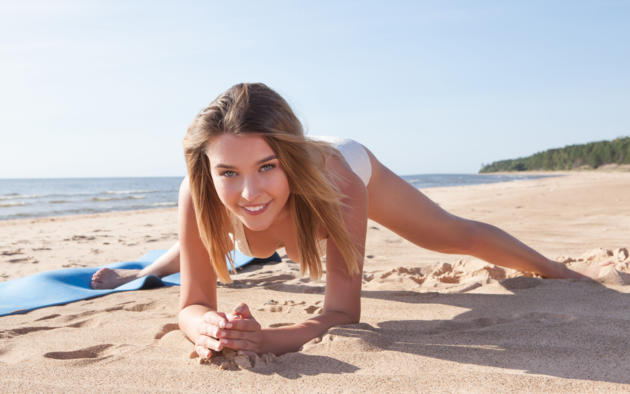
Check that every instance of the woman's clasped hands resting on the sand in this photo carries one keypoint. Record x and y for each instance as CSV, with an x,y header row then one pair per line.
x,y
237,330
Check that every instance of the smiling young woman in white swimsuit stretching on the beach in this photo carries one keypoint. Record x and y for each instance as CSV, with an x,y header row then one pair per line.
x,y
255,182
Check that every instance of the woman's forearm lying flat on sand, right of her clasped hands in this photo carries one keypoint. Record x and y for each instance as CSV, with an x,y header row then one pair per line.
x,y
291,338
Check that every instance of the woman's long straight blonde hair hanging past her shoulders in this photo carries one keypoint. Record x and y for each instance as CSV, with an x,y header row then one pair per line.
x,y
254,108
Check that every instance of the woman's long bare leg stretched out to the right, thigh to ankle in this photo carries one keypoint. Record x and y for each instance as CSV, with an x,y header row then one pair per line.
x,y
397,205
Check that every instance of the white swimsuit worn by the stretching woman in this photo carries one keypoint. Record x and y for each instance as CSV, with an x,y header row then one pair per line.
x,y
357,158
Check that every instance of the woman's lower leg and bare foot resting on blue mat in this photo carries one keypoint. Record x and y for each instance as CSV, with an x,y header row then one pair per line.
x,y
107,278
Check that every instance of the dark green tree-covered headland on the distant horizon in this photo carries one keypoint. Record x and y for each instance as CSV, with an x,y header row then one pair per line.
x,y
591,155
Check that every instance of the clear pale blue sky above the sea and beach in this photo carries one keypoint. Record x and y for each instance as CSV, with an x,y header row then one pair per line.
x,y
108,88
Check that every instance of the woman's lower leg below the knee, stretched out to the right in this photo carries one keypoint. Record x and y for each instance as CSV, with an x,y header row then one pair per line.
x,y
498,247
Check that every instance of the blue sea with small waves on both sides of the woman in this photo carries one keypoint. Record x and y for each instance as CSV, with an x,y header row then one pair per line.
x,y
30,198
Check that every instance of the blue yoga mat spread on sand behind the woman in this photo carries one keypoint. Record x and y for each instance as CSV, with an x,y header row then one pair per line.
x,y
66,285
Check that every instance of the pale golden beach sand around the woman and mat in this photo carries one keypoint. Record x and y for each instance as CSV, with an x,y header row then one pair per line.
x,y
430,322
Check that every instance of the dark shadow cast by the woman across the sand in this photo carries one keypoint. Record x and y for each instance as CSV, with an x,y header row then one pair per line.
x,y
547,327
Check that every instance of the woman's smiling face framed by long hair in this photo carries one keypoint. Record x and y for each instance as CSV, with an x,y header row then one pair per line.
x,y
248,179
